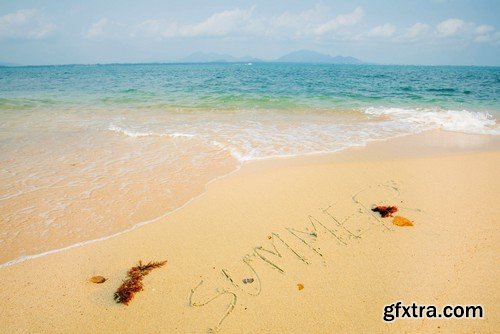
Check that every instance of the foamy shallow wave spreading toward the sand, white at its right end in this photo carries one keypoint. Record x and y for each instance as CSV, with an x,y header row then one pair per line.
x,y
256,136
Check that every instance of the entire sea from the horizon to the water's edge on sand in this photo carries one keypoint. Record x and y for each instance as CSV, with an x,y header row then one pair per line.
x,y
91,151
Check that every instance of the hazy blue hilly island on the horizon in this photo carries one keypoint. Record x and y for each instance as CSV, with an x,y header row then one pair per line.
x,y
301,56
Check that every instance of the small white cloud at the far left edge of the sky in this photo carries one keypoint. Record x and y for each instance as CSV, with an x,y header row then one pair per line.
x,y
25,24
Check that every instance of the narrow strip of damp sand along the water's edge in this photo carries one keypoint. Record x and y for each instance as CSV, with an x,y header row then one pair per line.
x,y
488,142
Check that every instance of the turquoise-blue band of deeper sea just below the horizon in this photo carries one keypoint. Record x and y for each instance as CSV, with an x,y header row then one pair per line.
x,y
229,86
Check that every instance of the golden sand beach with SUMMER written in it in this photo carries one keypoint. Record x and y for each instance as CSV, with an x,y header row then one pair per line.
x,y
352,265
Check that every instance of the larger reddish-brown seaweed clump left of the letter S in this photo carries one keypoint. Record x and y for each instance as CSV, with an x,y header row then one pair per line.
x,y
133,283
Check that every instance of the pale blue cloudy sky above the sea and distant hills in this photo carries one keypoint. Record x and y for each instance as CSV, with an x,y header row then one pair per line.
x,y
422,32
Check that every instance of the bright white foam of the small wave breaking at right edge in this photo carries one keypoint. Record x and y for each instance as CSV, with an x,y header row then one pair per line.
x,y
450,120
